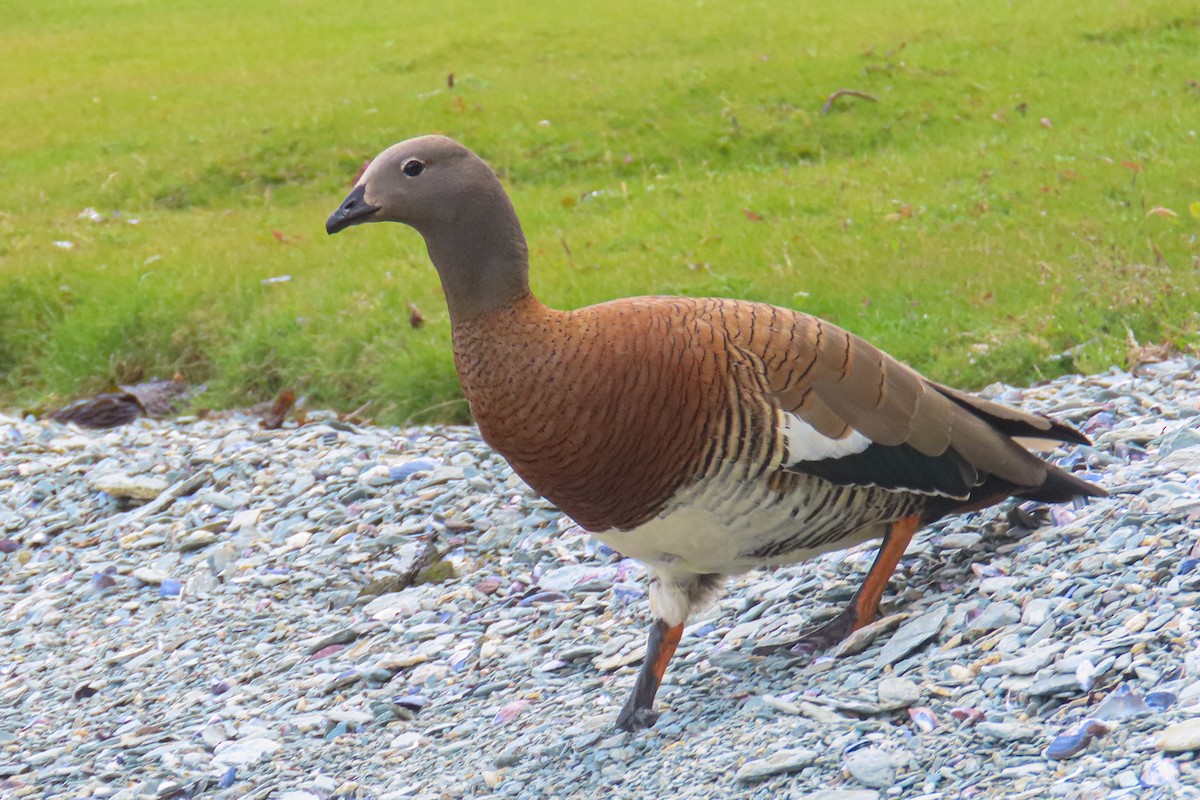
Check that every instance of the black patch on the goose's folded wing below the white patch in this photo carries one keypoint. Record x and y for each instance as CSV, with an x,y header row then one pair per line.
x,y
898,467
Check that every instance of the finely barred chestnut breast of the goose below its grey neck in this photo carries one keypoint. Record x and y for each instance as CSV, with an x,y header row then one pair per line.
x,y
608,411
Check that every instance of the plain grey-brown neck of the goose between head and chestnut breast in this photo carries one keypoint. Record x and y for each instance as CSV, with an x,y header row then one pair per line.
x,y
481,256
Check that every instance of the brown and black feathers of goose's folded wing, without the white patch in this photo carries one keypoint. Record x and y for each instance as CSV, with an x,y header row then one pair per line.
x,y
926,437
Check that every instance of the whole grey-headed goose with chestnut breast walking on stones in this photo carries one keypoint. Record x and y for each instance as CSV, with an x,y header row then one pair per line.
x,y
703,437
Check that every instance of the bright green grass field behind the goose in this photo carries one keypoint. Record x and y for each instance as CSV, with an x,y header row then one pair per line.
x,y
1027,184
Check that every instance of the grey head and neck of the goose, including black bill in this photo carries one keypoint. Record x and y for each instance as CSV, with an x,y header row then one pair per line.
x,y
454,200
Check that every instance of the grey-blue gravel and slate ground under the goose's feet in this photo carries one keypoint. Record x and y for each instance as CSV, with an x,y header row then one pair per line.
x,y
202,609
